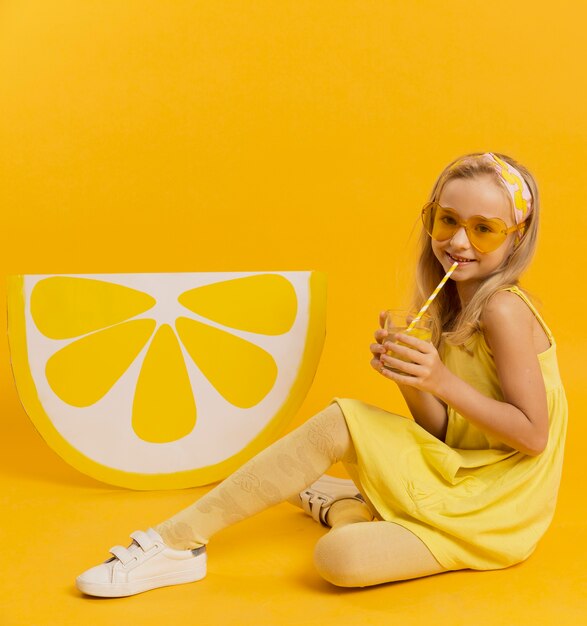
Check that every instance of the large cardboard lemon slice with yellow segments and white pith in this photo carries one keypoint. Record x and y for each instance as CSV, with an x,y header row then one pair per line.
x,y
157,381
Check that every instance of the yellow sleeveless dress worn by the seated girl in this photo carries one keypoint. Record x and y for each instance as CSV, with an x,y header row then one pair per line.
x,y
474,501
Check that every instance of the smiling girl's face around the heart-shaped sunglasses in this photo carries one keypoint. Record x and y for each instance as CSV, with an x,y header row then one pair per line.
x,y
469,197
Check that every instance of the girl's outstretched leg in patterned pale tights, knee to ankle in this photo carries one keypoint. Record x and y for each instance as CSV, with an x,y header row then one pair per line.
x,y
277,473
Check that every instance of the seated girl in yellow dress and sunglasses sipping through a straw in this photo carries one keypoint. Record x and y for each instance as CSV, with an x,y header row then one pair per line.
x,y
471,481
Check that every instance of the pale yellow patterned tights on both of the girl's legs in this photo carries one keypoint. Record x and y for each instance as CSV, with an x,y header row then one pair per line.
x,y
355,553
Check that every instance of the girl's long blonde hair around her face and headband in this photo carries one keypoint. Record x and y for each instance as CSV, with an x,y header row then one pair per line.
x,y
450,322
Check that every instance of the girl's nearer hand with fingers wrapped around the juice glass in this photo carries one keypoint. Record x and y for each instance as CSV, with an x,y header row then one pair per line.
x,y
425,371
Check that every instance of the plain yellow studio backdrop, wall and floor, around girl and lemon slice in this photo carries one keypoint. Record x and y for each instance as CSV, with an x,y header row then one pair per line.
x,y
289,135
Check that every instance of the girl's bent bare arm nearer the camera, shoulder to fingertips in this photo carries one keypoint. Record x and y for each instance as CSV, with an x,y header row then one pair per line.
x,y
521,419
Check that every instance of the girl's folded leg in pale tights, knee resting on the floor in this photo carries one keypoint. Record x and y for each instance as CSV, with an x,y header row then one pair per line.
x,y
369,553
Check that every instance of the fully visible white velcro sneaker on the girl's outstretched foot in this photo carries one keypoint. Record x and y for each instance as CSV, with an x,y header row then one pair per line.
x,y
146,564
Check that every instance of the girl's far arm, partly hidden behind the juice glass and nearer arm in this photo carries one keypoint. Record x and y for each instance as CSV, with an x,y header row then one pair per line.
x,y
428,411
